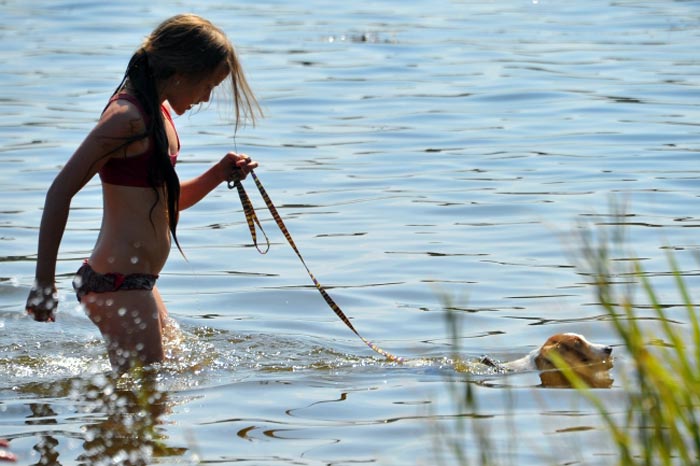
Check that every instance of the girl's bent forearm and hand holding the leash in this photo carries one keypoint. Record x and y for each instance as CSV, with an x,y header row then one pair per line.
x,y
194,190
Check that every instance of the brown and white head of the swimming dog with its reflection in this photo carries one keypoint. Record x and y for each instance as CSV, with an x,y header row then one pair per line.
x,y
591,362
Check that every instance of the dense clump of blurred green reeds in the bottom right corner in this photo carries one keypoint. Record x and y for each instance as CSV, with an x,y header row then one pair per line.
x,y
660,422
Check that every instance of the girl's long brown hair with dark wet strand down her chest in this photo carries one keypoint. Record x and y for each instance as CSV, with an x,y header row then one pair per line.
x,y
190,46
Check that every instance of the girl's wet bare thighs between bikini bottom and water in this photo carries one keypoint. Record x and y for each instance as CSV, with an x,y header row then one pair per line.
x,y
131,323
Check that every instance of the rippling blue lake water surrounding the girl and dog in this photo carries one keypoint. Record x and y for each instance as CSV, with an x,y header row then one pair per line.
x,y
428,158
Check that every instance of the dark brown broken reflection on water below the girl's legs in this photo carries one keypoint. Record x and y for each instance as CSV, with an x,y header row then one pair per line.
x,y
119,422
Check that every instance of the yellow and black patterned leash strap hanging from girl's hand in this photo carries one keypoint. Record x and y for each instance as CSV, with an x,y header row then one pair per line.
x,y
252,220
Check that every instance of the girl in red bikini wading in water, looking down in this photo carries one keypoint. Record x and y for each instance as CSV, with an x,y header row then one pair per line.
x,y
133,148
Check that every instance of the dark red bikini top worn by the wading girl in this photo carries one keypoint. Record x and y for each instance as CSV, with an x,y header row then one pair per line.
x,y
133,170
